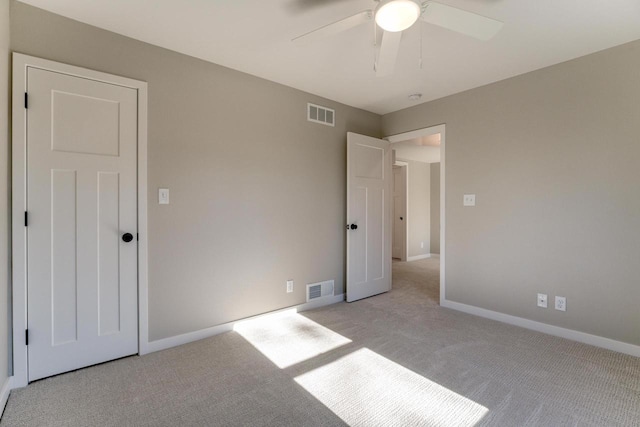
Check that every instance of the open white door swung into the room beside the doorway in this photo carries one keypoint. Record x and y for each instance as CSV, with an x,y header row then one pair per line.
x,y
369,216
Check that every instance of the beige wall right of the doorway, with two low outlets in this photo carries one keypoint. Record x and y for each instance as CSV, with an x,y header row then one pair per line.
x,y
552,157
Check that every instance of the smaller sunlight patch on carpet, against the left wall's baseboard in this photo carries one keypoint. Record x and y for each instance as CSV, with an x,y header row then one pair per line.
x,y
289,338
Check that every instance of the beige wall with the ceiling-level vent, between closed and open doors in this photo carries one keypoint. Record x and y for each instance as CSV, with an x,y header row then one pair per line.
x,y
257,192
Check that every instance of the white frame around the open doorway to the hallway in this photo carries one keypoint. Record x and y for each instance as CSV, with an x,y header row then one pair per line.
x,y
418,133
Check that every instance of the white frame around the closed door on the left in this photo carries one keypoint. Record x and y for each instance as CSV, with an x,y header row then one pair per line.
x,y
21,64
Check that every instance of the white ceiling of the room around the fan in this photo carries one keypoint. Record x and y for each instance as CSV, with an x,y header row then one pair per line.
x,y
254,36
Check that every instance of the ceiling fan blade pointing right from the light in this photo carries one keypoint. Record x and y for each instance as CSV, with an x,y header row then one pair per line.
x,y
461,21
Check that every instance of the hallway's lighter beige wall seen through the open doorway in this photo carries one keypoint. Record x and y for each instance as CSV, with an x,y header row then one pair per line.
x,y
419,208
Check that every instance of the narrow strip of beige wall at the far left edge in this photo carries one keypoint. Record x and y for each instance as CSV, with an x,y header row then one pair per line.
x,y
5,311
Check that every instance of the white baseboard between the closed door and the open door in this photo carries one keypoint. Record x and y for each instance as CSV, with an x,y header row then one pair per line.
x,y
226,327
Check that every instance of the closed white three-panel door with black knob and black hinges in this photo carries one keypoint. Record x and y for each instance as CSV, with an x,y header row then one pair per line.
x,y
81,200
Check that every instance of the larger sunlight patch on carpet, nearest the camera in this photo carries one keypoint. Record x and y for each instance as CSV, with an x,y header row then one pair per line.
x,y
367,389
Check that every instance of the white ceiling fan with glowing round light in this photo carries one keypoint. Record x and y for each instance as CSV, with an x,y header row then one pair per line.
x,y
395,16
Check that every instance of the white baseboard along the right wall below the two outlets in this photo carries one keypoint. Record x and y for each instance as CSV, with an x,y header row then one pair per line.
x,y
570,334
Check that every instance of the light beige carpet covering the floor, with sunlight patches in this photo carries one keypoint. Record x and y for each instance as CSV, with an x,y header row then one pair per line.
x,y
394,359
